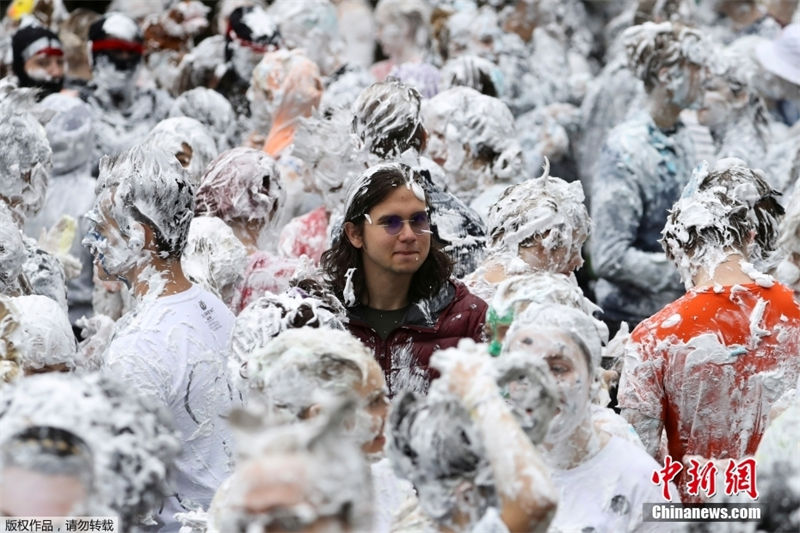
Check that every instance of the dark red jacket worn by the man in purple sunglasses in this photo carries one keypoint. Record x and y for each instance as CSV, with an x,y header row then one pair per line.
x,y
433,324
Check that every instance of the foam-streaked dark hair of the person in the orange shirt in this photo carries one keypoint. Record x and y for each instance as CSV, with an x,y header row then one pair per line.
x,y
738,200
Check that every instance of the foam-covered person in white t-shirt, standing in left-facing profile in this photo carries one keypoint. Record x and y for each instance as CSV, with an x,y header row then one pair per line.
x,y
171,346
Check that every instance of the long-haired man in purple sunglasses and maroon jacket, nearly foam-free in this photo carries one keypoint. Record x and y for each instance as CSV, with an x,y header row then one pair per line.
x,y
386,267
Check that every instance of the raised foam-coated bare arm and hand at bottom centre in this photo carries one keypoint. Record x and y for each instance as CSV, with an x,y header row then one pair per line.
x,y
527,496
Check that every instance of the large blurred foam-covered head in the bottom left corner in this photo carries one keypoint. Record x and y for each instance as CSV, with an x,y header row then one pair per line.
x,y
84,446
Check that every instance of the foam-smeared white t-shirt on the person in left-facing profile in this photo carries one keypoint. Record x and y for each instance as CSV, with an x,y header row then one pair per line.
x,y
174,349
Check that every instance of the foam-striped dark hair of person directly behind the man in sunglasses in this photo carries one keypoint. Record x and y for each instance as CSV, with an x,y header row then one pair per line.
x,y
386,118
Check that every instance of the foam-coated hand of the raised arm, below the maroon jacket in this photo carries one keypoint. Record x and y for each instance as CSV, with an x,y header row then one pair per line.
x,y
467,372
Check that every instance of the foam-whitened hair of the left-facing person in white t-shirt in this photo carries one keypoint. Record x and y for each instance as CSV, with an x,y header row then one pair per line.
x,y
151,187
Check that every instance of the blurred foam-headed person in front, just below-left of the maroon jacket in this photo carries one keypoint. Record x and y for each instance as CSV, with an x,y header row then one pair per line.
x,y
302,370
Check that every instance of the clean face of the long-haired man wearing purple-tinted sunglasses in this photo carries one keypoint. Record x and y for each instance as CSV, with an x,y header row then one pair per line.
x,y
394,255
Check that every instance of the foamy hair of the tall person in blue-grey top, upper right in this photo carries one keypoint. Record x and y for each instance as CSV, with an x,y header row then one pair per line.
x,y
651,47
